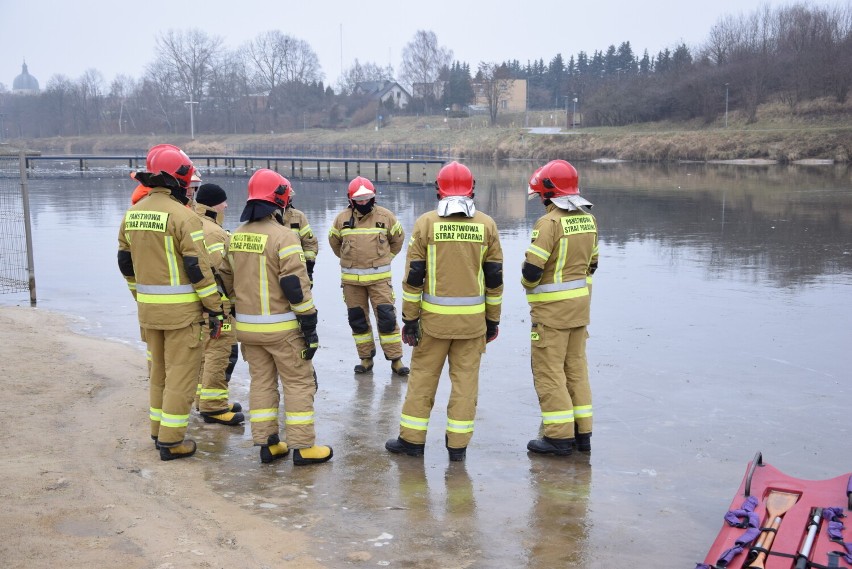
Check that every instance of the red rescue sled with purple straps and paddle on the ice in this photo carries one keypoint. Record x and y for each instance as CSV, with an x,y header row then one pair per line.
x,y
780,522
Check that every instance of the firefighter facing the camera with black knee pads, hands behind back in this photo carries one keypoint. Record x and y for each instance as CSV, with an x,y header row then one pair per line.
x,y
367,237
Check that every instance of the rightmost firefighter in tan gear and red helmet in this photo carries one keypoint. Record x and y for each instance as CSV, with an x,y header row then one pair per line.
x,y
562,256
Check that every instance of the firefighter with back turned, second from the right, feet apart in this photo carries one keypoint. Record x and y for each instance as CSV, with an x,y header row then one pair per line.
x,y
452,298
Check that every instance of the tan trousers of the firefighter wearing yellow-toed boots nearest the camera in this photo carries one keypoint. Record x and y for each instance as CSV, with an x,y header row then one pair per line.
x,y
268,363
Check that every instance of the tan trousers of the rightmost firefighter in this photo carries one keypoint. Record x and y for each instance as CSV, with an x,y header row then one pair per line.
x,y
561,378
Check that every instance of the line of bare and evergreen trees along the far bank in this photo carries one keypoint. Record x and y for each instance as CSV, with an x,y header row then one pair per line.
x,y
274,83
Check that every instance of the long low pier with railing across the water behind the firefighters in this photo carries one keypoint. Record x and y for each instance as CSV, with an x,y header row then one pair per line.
x,y
293,166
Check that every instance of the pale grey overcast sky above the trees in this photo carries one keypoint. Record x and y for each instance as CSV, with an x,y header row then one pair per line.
x,y
114,37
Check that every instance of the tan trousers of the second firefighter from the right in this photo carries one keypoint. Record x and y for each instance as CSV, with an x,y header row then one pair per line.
x,y
427,363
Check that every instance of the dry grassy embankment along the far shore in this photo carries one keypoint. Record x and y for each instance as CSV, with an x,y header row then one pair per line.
x,y
819,130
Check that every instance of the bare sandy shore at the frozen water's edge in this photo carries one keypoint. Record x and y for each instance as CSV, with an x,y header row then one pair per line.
x,y
82,485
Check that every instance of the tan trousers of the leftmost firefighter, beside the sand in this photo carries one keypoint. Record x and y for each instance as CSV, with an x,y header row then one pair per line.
x,y
175,361
